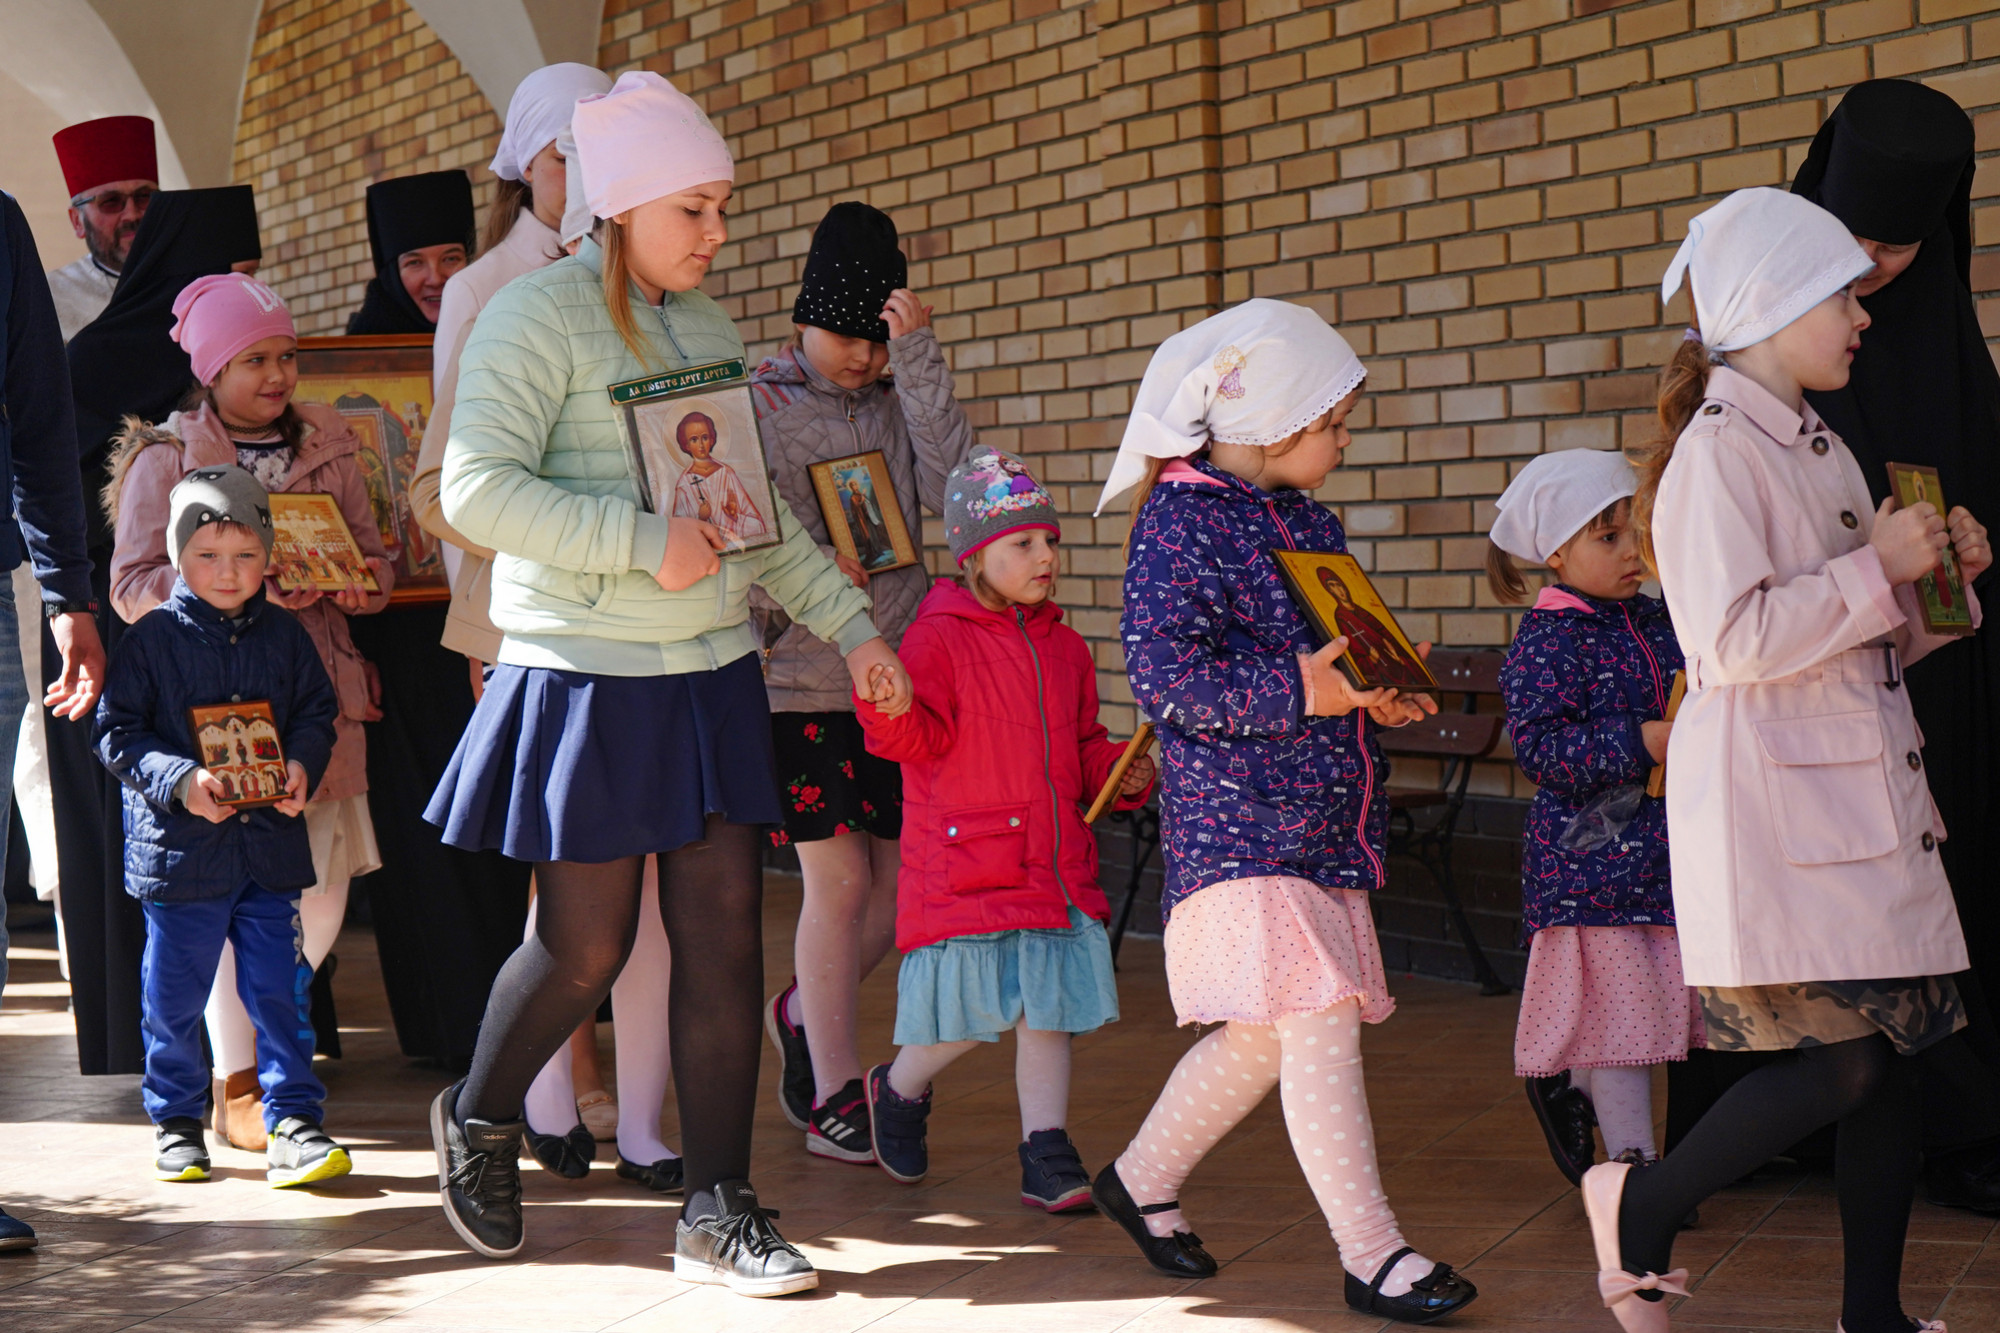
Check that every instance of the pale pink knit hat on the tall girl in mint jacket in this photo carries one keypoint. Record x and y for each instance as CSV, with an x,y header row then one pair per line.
x,y
643,141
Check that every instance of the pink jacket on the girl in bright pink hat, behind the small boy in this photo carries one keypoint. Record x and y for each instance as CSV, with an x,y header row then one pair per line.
x,y
145,469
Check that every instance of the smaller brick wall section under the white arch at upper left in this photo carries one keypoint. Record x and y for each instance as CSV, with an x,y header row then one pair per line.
x,y
339,95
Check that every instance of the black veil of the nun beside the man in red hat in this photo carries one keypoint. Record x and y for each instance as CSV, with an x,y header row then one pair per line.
x,y
125,361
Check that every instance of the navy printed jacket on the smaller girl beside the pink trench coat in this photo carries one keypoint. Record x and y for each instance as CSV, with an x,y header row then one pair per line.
x,y
1579,682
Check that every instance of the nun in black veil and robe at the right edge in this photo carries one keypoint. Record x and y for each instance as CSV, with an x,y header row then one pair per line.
x,y
1895,163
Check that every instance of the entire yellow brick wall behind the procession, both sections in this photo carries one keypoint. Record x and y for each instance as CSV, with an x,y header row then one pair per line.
x,y
1481,197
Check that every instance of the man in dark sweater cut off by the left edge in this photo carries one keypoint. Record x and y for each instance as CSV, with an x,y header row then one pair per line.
x,y
39,457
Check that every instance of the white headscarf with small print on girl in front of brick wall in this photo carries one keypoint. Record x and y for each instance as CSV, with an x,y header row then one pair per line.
x,y
1253,375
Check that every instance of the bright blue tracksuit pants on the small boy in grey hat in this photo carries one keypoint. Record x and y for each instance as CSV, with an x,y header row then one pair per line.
x,y
183,950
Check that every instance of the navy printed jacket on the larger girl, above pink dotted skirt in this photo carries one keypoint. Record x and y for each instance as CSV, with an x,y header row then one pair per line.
x,y
1251,786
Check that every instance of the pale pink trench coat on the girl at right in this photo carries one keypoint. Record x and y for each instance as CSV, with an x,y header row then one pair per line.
x,y
1803,830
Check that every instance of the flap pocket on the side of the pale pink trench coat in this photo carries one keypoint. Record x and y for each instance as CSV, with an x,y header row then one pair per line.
x,y
1827,788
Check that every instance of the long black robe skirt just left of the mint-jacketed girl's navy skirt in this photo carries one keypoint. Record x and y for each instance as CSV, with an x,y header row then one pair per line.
x,y
445,920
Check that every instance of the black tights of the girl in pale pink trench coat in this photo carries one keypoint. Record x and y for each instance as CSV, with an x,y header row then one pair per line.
x,y
1863,1086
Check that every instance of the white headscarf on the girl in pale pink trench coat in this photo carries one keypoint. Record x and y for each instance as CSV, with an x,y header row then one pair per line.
x,y
1759,261
